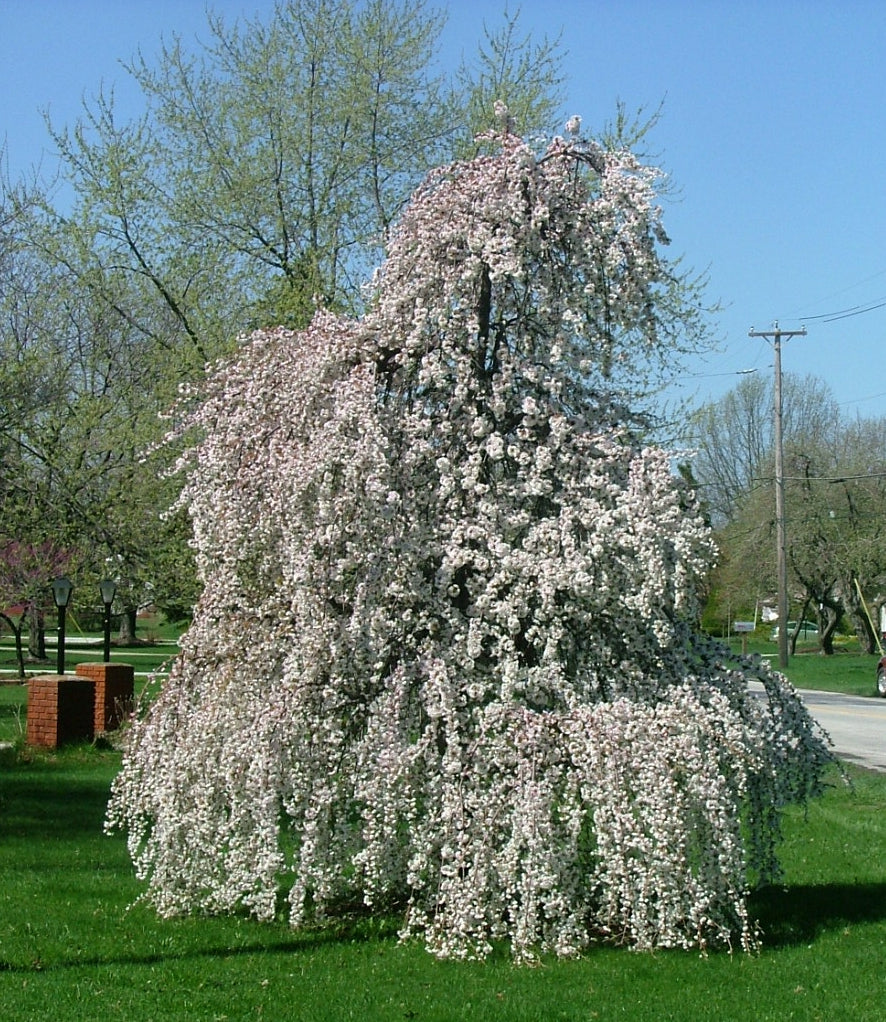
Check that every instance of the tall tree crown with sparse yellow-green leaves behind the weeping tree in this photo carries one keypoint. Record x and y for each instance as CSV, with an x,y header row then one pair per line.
x,y
273,157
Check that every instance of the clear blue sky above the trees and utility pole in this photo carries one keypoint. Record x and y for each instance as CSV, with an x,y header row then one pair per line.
x,y
773,132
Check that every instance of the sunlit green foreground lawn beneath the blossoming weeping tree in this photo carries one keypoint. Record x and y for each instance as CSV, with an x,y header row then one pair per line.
x,y
73,948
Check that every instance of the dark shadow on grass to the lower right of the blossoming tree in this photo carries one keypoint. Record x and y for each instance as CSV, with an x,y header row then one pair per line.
x,y
797,915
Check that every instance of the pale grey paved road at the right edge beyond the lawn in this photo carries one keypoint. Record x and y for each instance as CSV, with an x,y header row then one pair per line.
x,y
857,726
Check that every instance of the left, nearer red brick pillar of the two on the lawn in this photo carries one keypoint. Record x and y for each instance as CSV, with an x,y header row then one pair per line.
x,y
61,709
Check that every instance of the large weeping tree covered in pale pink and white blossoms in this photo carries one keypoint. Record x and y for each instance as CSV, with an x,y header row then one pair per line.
x,y
446,660
